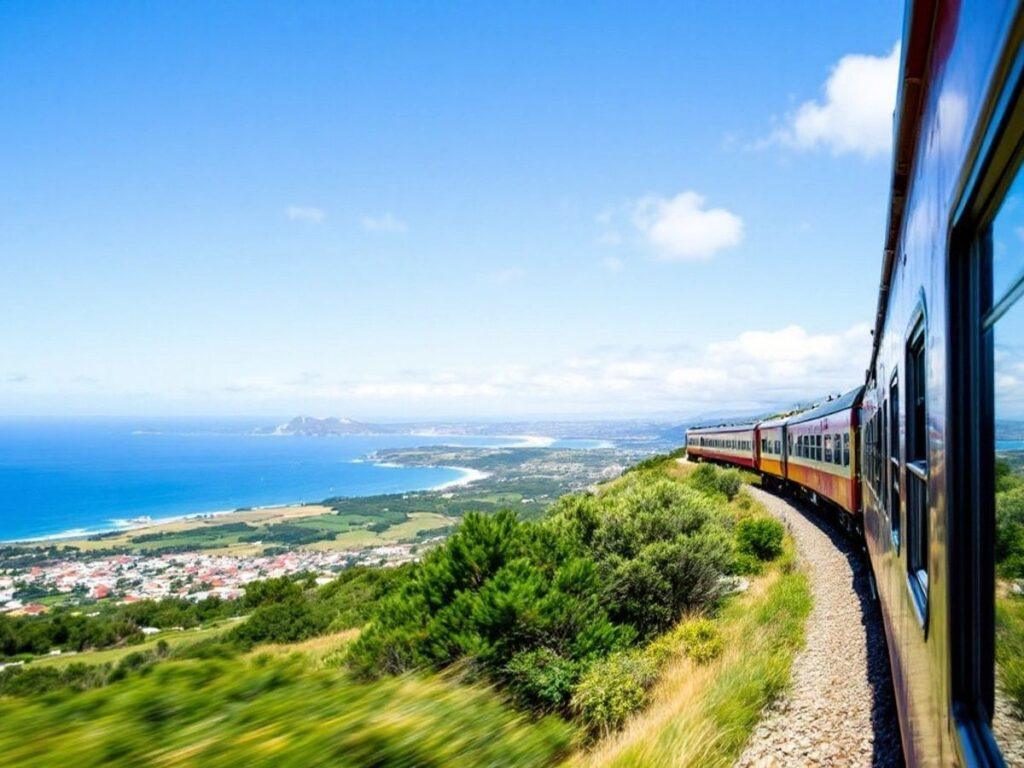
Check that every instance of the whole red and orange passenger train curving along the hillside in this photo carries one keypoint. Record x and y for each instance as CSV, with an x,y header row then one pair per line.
x,y
917,460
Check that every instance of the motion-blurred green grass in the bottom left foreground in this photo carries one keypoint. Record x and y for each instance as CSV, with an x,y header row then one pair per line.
x,y
275,710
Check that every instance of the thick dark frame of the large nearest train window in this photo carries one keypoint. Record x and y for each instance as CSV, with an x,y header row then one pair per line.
x,y
993,164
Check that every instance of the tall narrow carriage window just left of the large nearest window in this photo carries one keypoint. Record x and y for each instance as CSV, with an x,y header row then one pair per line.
x,y
917,470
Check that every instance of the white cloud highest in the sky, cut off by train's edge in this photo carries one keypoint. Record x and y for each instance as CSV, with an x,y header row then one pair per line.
x,y
857,113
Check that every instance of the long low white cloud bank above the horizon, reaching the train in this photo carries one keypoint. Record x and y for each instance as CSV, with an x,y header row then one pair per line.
x,y
756,371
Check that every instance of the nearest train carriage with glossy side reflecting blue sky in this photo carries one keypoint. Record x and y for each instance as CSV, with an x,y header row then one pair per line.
x,y
928,447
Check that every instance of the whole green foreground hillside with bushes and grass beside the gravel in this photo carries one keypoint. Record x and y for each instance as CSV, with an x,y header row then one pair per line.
x,y
517,643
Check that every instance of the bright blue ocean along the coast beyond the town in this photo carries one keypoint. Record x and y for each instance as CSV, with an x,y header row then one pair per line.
x,y
74,478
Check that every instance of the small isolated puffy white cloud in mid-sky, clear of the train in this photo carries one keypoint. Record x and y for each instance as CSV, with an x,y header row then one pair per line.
x,y
682,229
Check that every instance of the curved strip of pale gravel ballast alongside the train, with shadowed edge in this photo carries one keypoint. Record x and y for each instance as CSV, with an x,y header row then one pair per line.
x,y
840,710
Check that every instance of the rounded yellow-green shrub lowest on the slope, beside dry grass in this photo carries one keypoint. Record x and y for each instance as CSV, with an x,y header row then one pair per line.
x,y
612,691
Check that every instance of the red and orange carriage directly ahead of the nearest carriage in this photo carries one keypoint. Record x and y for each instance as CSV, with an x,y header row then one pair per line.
x,y
821,451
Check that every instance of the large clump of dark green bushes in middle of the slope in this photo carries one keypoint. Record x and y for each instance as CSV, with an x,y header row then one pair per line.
x,y
531,605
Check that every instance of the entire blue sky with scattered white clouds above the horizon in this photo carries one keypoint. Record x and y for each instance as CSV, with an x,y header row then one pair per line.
x,y
393,210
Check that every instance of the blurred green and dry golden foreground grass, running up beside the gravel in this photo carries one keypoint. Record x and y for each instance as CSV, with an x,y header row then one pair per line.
x,y
291,705
